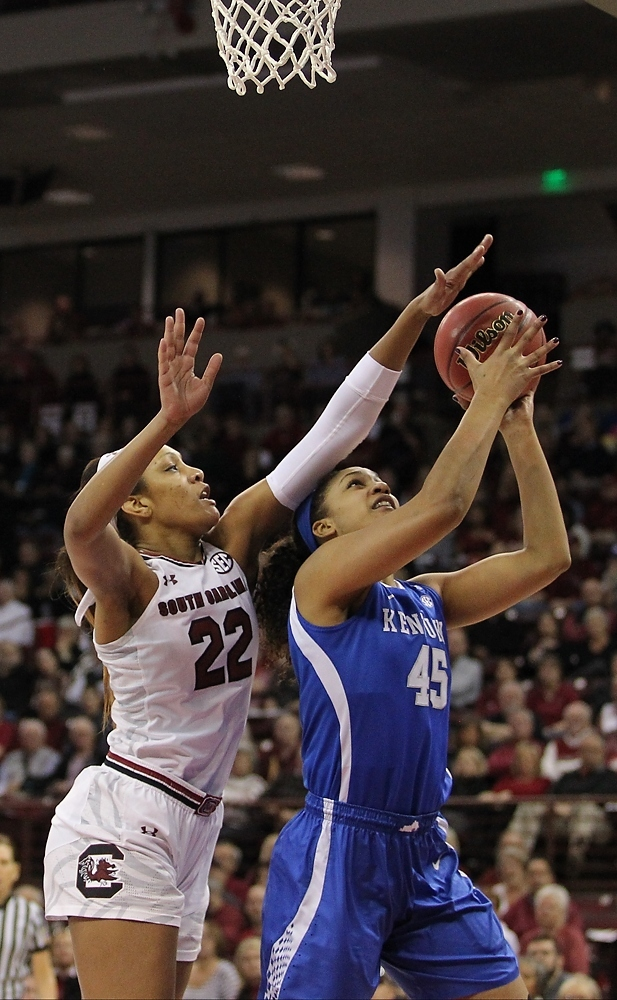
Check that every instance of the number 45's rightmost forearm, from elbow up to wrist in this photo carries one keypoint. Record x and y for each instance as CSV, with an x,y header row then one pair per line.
x,y
544,531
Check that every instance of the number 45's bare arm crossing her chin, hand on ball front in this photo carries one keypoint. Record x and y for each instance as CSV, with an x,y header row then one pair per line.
x,y
337,573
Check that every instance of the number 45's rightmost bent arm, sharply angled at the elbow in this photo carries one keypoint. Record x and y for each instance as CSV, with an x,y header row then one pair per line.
x,y
496,583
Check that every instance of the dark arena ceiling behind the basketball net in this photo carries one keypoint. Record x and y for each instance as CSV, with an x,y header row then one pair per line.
x,y
467,98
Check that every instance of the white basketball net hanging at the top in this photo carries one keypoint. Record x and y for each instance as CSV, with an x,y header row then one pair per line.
x,y
263,40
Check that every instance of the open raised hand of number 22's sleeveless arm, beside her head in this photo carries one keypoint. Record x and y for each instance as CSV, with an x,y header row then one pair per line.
x,y
182,392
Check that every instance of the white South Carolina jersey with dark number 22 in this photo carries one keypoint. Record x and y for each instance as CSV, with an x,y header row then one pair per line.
x,y
181,675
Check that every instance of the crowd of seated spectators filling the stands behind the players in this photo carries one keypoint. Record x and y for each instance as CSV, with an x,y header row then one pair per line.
x,y
534,690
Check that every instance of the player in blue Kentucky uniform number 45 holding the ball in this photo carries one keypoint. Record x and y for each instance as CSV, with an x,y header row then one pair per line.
x,y
363,875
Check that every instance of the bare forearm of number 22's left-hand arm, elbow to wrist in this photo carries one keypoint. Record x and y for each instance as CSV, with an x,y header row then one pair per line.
x,y
101,498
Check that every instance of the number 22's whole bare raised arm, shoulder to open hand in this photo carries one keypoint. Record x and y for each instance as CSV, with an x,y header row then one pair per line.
x,y
99,557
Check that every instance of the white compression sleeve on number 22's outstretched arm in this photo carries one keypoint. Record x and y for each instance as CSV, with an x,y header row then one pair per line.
x,y
343,425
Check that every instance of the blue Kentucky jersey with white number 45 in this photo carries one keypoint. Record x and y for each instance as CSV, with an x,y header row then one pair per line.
x,y
374,701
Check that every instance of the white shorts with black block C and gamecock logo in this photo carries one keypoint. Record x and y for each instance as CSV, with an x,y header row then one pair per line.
x,y
121,849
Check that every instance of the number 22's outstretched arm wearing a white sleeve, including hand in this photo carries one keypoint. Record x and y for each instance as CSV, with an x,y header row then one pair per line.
x,y
263,511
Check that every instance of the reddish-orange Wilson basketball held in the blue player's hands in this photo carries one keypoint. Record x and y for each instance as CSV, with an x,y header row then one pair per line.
x,y
477,323
